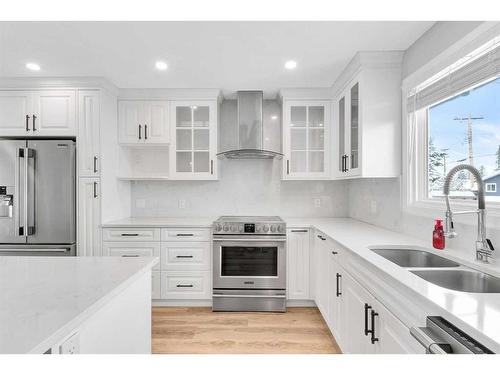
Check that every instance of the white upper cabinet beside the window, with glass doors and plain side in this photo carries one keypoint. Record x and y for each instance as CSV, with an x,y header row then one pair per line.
x,y
367,115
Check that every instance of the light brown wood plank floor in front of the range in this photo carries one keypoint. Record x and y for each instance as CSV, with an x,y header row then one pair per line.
x,y
198,330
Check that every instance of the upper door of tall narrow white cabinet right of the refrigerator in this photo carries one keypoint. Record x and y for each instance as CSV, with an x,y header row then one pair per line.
x,y
89,142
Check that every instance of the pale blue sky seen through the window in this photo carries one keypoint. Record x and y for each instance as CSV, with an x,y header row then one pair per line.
x,y
447,133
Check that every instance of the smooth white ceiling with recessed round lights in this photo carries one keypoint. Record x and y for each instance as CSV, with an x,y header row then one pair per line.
x,y
226,55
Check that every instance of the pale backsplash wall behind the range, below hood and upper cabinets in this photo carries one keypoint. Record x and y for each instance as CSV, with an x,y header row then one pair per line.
x,y
245,187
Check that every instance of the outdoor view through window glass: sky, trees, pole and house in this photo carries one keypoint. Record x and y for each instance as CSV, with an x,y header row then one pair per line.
x,y
466,129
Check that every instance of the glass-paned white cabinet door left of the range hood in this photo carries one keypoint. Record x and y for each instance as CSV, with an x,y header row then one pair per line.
x,y
194,140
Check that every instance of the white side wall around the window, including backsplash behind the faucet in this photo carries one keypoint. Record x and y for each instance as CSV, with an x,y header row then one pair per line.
x,y
378,201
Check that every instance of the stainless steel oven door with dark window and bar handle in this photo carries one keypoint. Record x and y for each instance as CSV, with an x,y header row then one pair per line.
x,y
253,263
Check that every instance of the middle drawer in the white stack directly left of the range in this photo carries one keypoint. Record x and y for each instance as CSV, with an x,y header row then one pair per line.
x,y
185,256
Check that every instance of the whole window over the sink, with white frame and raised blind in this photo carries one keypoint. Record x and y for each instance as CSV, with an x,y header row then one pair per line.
x,y
454,118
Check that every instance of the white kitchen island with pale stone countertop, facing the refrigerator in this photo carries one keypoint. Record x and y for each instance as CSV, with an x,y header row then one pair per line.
x,y
75,305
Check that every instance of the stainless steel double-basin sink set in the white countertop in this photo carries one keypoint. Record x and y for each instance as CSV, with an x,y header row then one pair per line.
x,y
441,271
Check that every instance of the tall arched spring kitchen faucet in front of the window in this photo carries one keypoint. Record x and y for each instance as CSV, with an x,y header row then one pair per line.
x,y
483,245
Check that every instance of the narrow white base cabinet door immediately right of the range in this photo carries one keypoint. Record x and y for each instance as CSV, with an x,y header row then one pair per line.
x,y
297,259
